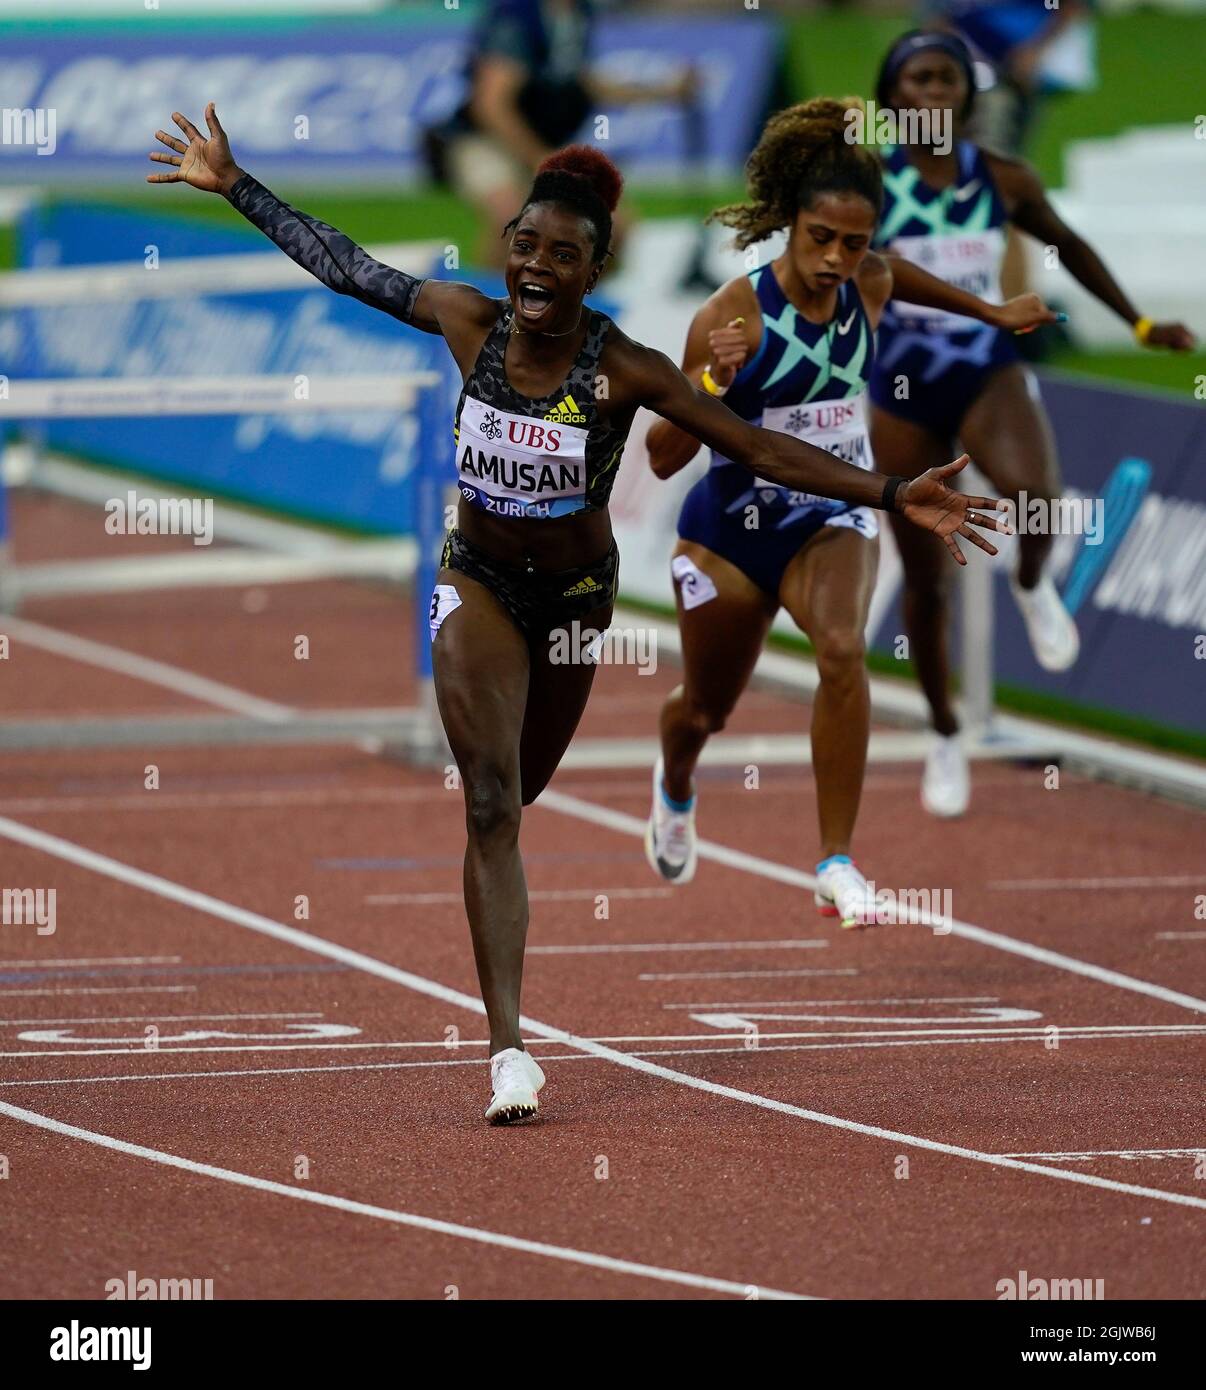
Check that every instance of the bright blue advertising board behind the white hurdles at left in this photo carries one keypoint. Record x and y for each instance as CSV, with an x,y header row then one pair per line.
x,y
352,468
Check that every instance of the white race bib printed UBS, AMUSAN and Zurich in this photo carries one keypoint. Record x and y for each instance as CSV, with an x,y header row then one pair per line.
x,y
520,466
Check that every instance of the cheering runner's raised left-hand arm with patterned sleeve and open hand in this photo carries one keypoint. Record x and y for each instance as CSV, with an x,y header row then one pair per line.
x,y
327,254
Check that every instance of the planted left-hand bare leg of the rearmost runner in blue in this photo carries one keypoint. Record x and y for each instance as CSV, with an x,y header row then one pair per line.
x,y
907,448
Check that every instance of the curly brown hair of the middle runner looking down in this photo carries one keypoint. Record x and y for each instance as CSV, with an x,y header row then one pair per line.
x,y
804,152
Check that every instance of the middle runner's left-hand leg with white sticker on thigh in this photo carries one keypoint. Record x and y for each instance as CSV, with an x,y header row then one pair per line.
x,y
722,641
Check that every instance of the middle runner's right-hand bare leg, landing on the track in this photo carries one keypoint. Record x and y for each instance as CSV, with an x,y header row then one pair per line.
x,y
827,589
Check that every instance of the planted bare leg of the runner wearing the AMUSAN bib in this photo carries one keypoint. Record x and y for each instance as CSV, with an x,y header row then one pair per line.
x,y
481,680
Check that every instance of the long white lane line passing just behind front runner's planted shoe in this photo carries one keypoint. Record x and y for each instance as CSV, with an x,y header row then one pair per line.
x,y
420,985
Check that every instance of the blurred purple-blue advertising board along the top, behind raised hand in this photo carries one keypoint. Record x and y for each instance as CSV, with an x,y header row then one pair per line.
x,y
340,101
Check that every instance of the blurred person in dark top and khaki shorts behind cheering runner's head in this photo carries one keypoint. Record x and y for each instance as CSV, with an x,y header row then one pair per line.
x,y
529,94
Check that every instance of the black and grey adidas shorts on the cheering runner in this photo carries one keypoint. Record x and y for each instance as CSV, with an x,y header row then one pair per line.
x,y
536,603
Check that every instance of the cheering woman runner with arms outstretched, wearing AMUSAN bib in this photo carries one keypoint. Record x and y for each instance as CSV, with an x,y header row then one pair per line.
x,y
538,445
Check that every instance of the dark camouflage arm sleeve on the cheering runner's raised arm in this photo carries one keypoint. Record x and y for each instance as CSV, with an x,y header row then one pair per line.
x,y
336,259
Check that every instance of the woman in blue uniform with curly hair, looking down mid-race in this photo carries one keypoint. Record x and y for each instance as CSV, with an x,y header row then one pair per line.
x,y
790,348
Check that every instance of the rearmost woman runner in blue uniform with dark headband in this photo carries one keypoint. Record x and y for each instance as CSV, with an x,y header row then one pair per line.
x,y
941,377
